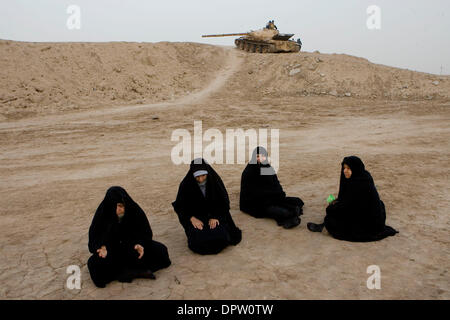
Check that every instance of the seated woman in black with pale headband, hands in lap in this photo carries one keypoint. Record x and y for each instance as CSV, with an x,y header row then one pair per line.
x,y
203,208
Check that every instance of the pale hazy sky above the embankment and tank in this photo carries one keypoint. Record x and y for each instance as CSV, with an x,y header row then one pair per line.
x,y
414,34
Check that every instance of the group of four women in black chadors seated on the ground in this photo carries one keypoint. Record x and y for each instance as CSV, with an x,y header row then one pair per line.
x,y
120,236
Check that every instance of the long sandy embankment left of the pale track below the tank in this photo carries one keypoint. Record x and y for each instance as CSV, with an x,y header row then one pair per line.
x,y
53,77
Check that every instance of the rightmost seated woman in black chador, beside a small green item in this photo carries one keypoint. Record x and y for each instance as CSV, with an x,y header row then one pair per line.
x,y
358,214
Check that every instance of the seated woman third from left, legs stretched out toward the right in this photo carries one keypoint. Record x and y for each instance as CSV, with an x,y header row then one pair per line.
x,y
262,195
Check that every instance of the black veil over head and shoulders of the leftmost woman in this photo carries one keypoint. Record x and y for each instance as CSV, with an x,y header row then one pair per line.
x,y
105,228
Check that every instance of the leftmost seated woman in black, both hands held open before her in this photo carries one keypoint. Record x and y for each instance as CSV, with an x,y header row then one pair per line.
x,y
120,240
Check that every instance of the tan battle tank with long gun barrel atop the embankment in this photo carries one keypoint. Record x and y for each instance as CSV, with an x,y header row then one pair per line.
x,y
266,40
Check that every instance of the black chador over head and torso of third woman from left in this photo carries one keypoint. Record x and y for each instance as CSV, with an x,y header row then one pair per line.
x,y
260,186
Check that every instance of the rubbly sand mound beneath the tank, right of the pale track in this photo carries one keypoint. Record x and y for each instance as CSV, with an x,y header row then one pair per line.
x,y
302,74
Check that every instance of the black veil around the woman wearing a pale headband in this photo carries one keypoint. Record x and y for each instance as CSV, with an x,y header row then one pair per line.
x,y
215,205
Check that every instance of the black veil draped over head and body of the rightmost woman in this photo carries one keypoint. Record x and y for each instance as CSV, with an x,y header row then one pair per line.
x,y
359,204
